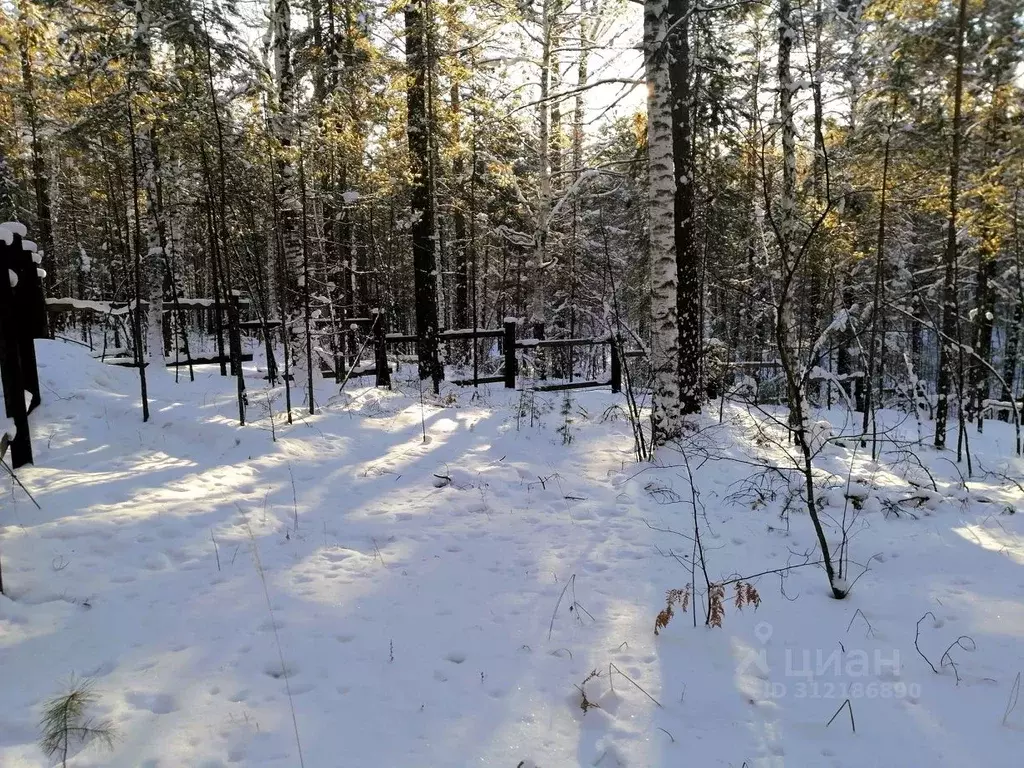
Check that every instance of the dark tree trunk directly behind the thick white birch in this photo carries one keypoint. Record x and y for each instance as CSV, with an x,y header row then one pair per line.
x,y
688,255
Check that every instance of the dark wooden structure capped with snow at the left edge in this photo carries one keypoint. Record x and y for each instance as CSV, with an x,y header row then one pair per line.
x,y
23,320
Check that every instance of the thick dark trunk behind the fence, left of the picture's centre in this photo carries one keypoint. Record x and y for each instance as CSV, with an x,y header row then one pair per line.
x,y
421,193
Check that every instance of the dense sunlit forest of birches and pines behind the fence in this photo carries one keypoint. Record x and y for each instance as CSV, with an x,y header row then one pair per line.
x,y
831,191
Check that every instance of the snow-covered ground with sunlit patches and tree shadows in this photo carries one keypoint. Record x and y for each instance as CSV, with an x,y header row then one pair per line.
x,y
487,595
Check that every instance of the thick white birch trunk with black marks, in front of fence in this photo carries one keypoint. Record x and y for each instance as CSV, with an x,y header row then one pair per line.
x,y
666,411
